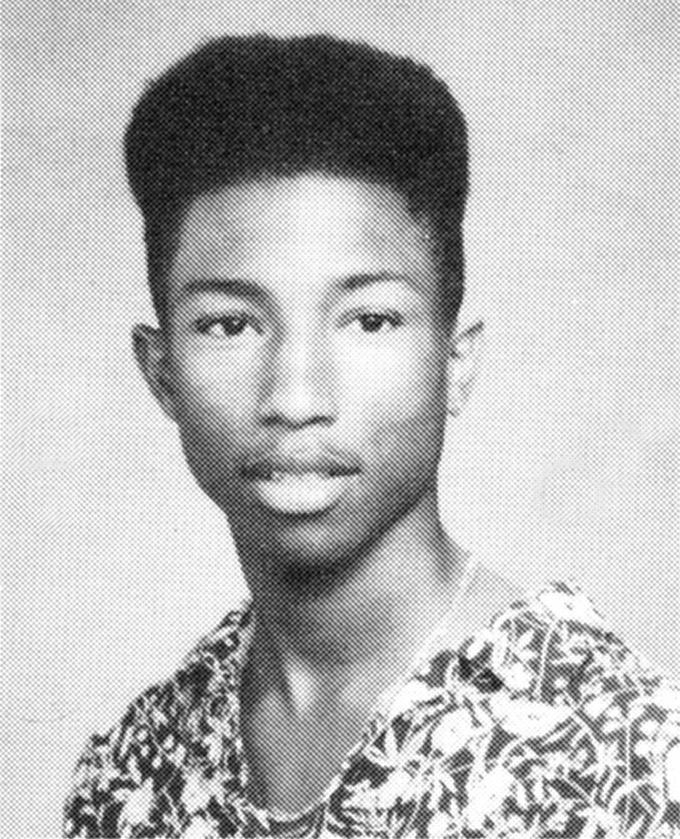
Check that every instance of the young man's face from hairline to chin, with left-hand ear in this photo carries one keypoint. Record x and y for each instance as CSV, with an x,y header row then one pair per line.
x,y
305,361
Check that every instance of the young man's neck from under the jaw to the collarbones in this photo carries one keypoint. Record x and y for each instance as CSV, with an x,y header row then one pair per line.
x,y
371,619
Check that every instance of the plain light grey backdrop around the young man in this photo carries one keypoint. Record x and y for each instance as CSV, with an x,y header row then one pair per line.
x,y
563,465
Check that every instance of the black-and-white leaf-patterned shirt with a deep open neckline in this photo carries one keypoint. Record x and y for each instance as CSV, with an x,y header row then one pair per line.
x,y
542,724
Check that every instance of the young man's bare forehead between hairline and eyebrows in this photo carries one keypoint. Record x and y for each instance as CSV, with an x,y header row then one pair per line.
x,y
310,229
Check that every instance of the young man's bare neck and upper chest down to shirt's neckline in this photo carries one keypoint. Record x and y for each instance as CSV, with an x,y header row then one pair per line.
x,y
318,667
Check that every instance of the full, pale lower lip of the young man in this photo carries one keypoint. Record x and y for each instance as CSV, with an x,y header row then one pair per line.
x,y
302,494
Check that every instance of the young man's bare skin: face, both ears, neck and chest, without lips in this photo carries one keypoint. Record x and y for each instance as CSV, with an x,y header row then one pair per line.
x,y
304,315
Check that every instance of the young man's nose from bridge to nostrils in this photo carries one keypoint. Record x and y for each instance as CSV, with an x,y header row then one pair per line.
x,y
299,385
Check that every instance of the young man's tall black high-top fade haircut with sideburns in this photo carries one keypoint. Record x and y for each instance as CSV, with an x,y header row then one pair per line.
x,y
250,107
